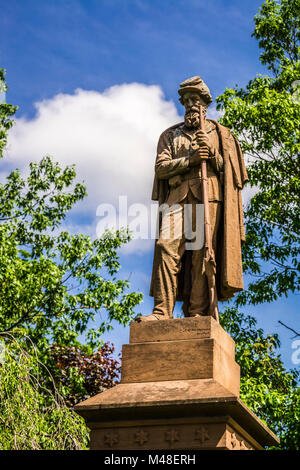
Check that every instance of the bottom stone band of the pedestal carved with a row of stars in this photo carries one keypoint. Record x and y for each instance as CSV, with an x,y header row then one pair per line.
x,y
196,434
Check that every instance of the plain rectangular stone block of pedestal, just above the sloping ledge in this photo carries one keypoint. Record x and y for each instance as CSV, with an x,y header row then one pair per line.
x,y
179,360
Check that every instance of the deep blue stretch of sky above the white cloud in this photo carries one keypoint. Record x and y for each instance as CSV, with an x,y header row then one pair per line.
x,y
57,46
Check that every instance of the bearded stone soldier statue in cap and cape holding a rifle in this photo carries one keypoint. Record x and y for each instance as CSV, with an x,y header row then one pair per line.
x,y
199,163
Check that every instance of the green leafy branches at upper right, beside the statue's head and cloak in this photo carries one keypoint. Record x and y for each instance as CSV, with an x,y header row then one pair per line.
x,y
265,116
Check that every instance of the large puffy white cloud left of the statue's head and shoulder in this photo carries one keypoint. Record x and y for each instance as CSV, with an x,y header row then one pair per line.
x,y
110,136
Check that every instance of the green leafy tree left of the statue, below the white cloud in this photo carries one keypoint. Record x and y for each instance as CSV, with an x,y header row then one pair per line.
x,y
53,284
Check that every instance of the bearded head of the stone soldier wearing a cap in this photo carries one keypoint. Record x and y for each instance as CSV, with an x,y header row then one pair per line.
x,y
193,93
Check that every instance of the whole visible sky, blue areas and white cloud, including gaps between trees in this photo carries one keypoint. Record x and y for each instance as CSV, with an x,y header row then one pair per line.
x,y
143,49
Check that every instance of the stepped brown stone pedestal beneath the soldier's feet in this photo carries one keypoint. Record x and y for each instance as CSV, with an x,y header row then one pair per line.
x,y
179,390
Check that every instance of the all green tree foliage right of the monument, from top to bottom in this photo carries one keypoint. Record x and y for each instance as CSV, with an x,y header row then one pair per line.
x,y
265,117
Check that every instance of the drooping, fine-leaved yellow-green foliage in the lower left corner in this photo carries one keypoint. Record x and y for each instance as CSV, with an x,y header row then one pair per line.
x,y
33,417
